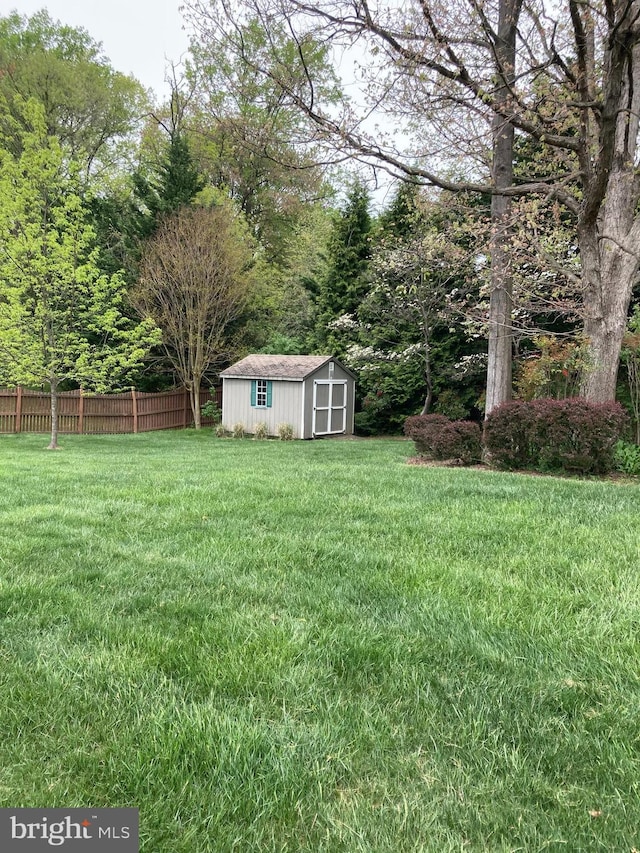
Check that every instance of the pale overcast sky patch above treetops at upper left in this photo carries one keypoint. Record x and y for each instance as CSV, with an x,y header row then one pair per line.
x,y
138,36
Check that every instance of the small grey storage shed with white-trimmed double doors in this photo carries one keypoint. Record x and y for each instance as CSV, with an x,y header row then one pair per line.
x,y
313,393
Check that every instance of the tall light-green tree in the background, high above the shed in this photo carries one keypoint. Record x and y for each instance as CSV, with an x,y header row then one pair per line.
x,y
247,138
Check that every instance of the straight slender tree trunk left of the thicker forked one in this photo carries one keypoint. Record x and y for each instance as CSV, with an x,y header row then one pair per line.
x,y
500,356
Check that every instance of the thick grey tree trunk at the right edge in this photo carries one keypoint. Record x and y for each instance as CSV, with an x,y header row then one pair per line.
x,y
609,229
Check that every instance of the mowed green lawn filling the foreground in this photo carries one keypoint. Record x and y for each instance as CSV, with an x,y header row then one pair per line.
x,y
313,646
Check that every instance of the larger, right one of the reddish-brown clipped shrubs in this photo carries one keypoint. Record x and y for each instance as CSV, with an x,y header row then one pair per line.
x,y
555,435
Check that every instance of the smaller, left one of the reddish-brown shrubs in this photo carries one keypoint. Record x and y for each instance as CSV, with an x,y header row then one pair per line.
x,y
437,437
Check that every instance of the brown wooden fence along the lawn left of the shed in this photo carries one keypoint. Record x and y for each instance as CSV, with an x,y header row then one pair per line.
x,y
30,411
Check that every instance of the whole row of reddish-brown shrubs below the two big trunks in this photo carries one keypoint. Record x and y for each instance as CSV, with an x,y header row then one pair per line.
x,y
544,435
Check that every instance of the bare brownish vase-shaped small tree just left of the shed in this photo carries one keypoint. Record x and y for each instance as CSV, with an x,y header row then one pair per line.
x,y
195,282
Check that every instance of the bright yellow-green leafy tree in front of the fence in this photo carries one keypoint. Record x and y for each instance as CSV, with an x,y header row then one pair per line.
x,y
61,319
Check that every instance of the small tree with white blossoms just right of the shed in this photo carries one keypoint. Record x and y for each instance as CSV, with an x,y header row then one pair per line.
x,y
420,270
